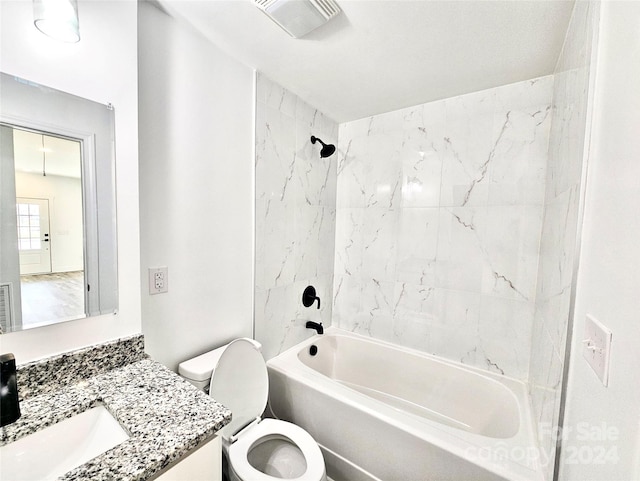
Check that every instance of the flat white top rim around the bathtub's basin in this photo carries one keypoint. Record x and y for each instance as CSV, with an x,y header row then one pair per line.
x,y
446,437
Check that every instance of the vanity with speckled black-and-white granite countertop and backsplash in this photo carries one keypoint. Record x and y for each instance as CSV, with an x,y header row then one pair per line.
x,y
168,426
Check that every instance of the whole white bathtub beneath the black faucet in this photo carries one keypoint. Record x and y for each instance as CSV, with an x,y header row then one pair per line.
x,y
382,412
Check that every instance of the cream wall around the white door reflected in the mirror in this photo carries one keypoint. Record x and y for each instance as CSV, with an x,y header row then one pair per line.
x,y
65,216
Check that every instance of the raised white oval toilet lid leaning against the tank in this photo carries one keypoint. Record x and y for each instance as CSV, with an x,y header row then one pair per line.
x,y
241,383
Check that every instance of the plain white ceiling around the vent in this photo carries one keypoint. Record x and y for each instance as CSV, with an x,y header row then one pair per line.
x,y
382,55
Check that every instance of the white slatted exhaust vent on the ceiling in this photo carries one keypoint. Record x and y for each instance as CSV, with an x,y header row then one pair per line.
x,y
299,17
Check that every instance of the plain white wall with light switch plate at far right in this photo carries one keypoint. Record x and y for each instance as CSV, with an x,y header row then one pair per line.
x,y
609,272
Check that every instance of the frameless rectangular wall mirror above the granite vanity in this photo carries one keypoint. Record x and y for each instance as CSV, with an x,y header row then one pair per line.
x,y
58,252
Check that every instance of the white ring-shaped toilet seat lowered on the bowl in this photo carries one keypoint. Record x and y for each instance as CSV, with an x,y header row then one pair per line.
x,y
239,450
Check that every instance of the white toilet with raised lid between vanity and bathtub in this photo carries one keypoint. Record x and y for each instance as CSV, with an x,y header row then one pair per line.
x,y
254,449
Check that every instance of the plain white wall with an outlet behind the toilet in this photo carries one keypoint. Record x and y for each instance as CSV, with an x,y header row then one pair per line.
x,y
196,189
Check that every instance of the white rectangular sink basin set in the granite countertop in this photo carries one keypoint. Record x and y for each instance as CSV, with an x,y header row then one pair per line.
x,y
53,451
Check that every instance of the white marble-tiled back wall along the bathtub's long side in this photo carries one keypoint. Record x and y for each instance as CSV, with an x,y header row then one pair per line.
x,y
439,214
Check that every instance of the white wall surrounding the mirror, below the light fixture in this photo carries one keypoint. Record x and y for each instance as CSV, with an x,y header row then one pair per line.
x,y
101,67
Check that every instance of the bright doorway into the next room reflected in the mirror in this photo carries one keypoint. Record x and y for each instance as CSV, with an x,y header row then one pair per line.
x,y
48,173
